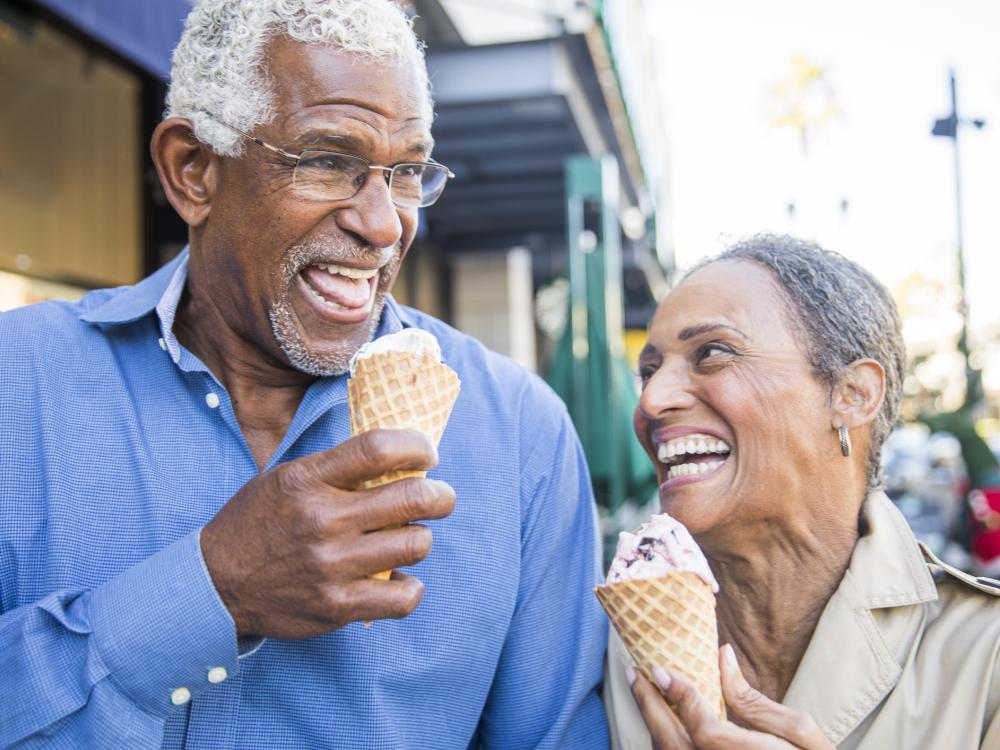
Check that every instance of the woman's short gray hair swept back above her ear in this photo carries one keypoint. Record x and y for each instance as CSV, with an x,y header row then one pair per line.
x,y
841,312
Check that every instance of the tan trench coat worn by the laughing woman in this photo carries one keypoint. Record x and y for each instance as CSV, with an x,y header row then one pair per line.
x,y
905,654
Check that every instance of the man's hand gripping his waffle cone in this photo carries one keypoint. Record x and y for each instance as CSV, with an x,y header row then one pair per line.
x,y
291,552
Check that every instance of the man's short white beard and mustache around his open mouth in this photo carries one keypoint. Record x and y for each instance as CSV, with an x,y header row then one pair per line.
x,y
333,360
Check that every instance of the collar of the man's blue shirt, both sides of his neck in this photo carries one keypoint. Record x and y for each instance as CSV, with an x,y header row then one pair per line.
x,y
162,292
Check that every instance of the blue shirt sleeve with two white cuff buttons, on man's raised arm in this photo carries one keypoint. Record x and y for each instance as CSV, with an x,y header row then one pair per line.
x,y
106,667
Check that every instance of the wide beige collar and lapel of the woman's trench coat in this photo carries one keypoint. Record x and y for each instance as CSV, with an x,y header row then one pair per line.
x,y
853,659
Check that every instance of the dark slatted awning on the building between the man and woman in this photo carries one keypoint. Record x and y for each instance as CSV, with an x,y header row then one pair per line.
x,y
508,117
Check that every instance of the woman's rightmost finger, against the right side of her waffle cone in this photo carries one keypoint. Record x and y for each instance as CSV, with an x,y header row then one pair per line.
x,y
756,711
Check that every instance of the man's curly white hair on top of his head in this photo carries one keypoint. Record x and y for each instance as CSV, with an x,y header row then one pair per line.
x,y
218,65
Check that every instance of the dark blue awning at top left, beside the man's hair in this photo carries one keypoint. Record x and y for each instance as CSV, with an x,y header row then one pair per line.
x,y
144,32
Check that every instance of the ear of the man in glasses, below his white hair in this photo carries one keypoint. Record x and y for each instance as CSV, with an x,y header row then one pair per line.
x,y
187,169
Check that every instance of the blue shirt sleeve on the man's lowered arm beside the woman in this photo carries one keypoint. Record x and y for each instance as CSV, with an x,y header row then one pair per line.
x,y
546,689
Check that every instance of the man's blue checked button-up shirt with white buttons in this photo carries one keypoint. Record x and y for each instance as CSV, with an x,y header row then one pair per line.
x,y
117,445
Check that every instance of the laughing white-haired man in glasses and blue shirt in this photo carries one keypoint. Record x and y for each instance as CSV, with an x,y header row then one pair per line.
x,y
184,549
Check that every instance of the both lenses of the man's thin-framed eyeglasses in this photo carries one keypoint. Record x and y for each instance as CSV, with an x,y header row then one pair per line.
x,y
325,175
